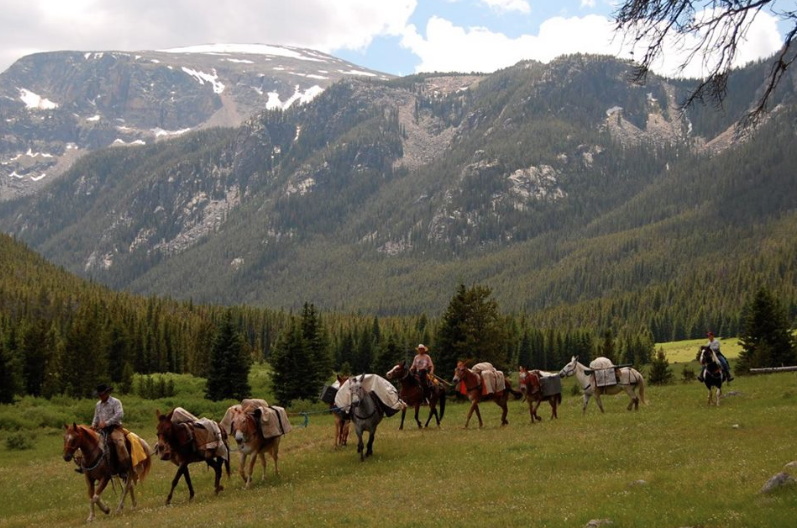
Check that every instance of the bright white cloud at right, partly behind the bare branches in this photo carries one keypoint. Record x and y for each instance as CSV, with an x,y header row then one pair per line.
x,y
447,47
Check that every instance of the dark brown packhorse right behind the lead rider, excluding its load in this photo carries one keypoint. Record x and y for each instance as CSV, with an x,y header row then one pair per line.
x,y
176,443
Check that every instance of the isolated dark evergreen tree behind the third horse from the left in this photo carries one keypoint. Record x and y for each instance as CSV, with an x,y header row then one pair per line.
x,y
228,376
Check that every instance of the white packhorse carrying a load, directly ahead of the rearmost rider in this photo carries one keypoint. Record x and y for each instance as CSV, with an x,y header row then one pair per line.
x,y
602,377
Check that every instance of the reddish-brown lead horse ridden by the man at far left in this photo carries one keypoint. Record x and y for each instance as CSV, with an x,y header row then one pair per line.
x,y
96,465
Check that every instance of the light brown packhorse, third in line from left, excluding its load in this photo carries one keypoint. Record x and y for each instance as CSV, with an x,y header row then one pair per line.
x,y
249,436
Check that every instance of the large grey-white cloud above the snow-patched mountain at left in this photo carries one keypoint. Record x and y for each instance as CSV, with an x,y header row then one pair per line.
x,y
87,25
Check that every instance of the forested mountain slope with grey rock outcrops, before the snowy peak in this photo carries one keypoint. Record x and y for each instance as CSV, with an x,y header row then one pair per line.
x,y
579,198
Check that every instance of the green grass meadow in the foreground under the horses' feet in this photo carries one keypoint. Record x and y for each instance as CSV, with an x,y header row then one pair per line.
x,y
702,467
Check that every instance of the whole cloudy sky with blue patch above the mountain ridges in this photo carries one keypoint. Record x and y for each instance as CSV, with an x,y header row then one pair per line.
x,y
394,36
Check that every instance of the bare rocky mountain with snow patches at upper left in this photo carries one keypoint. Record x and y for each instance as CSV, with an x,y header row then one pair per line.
x,y
54,107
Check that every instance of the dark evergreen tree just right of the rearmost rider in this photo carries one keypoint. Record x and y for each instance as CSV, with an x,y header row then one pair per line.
x,y
766,339
